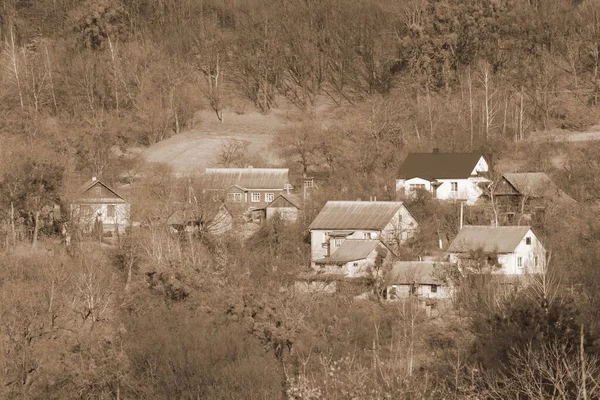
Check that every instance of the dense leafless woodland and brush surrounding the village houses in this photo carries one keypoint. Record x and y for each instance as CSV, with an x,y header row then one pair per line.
x,y
156,315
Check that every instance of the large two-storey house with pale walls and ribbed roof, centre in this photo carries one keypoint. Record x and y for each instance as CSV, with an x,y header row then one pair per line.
x,y
338,221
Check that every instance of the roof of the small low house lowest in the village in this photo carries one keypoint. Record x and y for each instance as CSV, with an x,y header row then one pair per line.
x,y
424,272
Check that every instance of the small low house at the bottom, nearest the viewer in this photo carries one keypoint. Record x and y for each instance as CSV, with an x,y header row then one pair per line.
x,y
423,279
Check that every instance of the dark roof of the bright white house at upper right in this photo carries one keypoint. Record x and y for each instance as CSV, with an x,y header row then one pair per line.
x,y
432,166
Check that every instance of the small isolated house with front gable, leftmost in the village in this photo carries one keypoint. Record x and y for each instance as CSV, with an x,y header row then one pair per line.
x,y
97,206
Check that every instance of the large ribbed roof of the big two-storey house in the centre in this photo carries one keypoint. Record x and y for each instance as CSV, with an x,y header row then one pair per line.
x,y
339,215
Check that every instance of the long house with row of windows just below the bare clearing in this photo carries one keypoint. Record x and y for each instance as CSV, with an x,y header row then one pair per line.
x,y
252,188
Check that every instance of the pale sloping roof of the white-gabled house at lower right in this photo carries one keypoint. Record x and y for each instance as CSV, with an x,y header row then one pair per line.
x,y
501,239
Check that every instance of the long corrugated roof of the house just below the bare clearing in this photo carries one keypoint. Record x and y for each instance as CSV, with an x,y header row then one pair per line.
x,y
247,178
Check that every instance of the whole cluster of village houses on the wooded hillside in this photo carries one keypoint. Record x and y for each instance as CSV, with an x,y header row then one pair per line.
x,y
361,240
